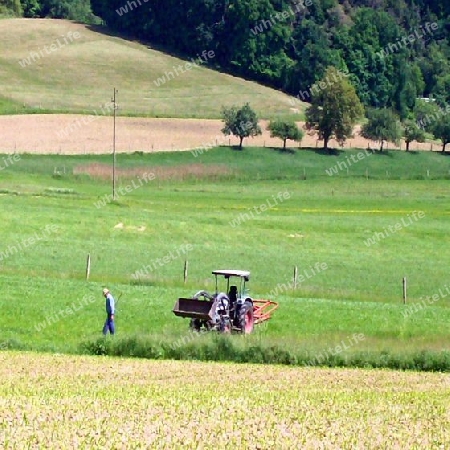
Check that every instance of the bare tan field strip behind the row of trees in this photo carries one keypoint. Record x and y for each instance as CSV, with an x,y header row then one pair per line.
x,y
78,134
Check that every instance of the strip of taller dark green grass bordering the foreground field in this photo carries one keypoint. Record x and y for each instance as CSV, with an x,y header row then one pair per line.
x,y
239,349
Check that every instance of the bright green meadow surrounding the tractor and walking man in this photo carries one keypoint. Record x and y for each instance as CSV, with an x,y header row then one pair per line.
x,y
326,220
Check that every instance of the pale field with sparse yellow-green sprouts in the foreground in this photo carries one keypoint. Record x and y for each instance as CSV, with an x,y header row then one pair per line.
x,y
55,401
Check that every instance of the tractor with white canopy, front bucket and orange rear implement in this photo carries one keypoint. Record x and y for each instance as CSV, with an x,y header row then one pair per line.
x,y
225,311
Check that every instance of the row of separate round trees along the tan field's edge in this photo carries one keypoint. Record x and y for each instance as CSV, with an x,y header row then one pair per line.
x,y
334,111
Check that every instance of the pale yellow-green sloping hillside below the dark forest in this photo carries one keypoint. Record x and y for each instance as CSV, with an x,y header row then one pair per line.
x,y
78,75
